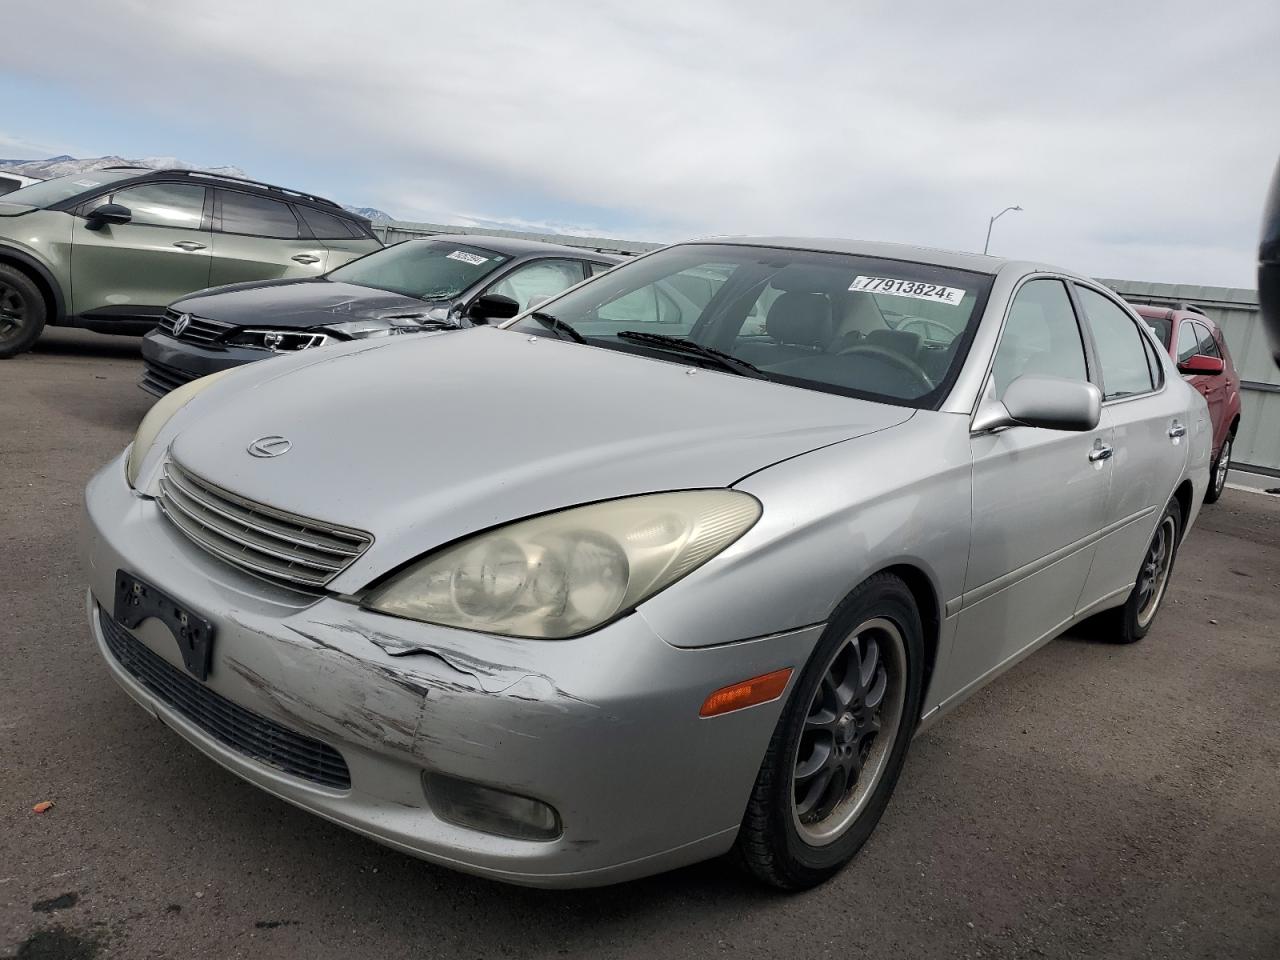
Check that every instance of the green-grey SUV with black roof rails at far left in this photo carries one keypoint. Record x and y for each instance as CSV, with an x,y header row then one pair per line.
x,y
111,249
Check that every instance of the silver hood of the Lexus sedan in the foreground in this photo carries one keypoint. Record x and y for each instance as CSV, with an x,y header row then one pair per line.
x,y
422,441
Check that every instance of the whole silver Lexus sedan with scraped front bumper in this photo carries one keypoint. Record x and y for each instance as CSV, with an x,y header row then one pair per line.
x,y
675,565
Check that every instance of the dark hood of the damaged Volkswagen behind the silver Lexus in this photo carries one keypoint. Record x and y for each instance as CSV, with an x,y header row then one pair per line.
x,y
298,304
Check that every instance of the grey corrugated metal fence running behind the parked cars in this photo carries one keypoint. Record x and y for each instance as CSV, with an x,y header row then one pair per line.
x,y
1258,445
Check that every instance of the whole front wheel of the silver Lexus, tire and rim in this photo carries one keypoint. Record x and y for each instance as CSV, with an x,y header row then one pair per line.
x,y
842,742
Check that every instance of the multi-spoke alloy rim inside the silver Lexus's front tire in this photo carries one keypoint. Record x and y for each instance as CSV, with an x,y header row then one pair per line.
x,y
849,732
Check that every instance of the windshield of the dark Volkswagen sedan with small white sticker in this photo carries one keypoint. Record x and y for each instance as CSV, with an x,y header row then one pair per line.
x,y
424,269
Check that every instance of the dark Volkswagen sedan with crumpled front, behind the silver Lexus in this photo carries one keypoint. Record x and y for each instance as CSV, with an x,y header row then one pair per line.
x,y
420,285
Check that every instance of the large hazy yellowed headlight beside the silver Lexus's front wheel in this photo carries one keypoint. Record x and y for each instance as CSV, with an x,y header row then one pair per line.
x,y
565,574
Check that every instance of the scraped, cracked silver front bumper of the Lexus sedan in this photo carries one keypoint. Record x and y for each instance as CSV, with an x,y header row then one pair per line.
x,y
604,728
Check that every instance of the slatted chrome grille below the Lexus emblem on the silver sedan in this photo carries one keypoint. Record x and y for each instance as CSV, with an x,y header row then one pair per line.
x,y
281,547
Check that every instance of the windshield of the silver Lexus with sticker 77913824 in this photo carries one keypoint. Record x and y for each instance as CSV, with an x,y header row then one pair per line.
x,y
886,330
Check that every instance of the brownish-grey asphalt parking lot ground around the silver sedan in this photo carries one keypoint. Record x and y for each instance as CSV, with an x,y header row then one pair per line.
x,y
1095,802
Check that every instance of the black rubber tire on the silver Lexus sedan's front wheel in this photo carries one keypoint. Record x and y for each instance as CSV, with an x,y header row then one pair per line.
x,y
771,844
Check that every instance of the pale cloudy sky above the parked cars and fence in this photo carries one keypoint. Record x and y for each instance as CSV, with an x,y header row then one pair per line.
x,y
1137,136
